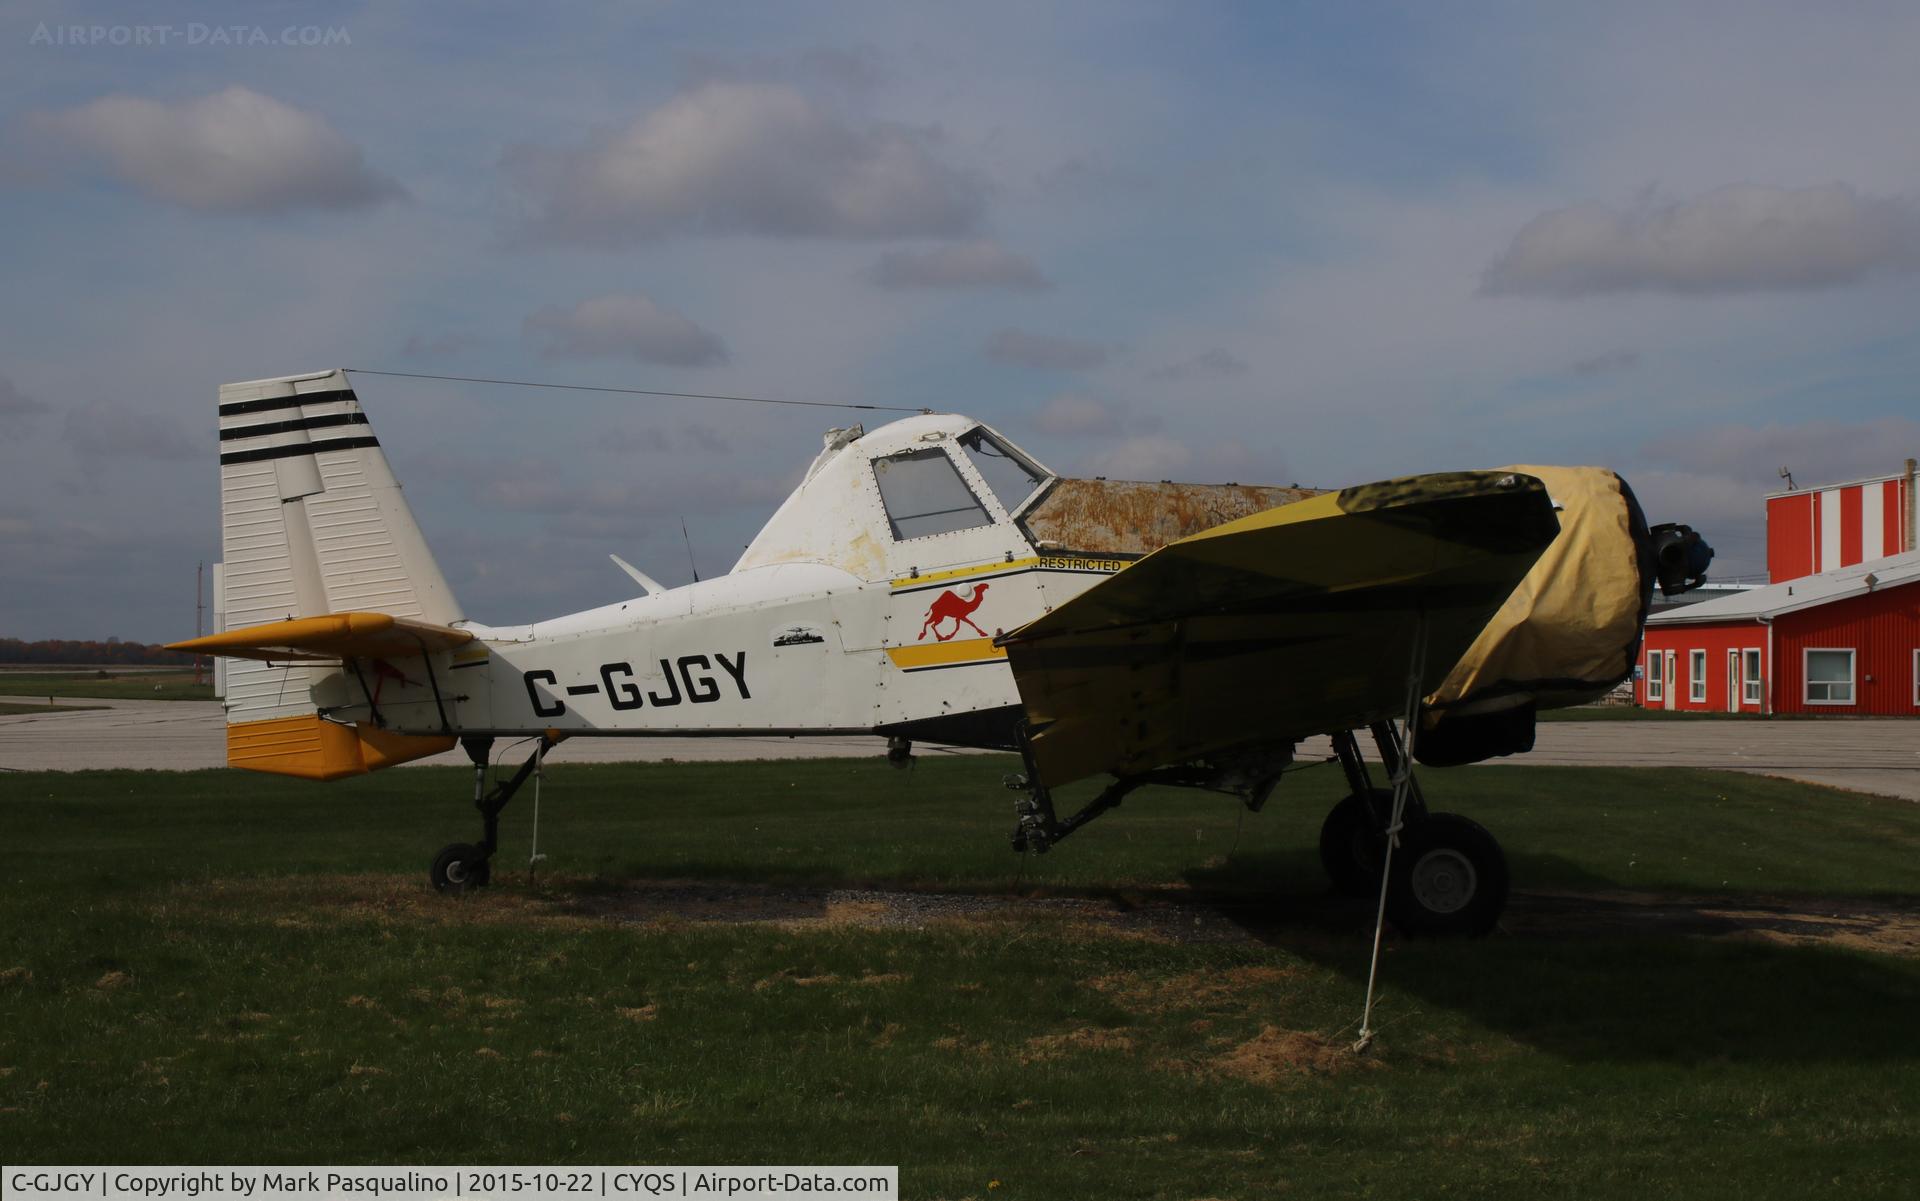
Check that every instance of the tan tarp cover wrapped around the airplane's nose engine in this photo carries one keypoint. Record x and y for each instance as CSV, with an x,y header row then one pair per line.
x,y
1572,630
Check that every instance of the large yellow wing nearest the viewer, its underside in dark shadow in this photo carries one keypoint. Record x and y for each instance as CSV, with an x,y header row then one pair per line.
x,y
1284,624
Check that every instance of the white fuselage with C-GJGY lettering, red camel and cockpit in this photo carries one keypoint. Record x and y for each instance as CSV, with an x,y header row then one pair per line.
x,y
832,623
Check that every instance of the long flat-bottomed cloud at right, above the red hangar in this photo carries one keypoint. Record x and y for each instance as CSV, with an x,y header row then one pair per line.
x,y
1737,239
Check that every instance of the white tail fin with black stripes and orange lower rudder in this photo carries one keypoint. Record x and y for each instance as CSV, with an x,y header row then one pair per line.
x,y
314,525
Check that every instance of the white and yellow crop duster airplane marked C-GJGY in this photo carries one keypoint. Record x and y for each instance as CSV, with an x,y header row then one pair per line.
x,y
932,582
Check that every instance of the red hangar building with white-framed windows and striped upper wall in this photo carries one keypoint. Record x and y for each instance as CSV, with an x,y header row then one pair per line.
x,y
1836,632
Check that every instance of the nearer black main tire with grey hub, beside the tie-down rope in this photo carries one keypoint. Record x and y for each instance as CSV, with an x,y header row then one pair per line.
x,y
1451,878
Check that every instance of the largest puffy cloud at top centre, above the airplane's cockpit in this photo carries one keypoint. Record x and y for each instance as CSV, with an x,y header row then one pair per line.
x,y
744,158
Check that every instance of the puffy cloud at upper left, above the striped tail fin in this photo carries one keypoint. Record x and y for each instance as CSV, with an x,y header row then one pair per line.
x,y
229,153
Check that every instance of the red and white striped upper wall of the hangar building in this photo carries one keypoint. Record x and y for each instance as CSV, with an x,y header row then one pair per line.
x,y
1819,530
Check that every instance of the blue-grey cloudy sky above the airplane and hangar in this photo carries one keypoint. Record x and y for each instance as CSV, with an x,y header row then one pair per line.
x,y
1257,243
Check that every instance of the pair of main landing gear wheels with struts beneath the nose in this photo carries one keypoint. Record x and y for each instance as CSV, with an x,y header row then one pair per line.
x,y
1449,874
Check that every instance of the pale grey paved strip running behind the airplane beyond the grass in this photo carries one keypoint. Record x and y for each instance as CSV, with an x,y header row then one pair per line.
x,y
1867,755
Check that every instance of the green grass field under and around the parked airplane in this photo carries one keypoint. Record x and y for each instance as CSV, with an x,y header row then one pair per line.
x,y
229,968
